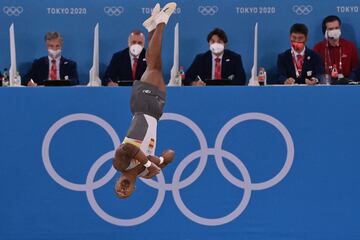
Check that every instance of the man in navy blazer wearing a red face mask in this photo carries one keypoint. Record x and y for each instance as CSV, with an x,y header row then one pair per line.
x,y
299,64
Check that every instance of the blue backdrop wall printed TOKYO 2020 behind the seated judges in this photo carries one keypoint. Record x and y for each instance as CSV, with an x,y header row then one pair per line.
x,y
76,20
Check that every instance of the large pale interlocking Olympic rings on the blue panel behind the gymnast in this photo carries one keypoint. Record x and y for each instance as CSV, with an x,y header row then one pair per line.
x,y
246,184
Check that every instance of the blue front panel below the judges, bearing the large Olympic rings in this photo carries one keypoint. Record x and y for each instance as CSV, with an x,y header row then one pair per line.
x,y
251,163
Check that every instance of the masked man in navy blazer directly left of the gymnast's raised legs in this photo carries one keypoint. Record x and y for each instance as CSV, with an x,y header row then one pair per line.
x,y
128,64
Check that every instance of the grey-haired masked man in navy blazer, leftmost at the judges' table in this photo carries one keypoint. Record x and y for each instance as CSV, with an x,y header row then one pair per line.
x,y
52,67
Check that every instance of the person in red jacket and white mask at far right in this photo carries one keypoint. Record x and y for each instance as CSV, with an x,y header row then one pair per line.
x,y
338,54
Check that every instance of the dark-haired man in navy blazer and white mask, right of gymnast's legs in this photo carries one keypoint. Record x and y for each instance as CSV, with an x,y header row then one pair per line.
x,y
217,63
